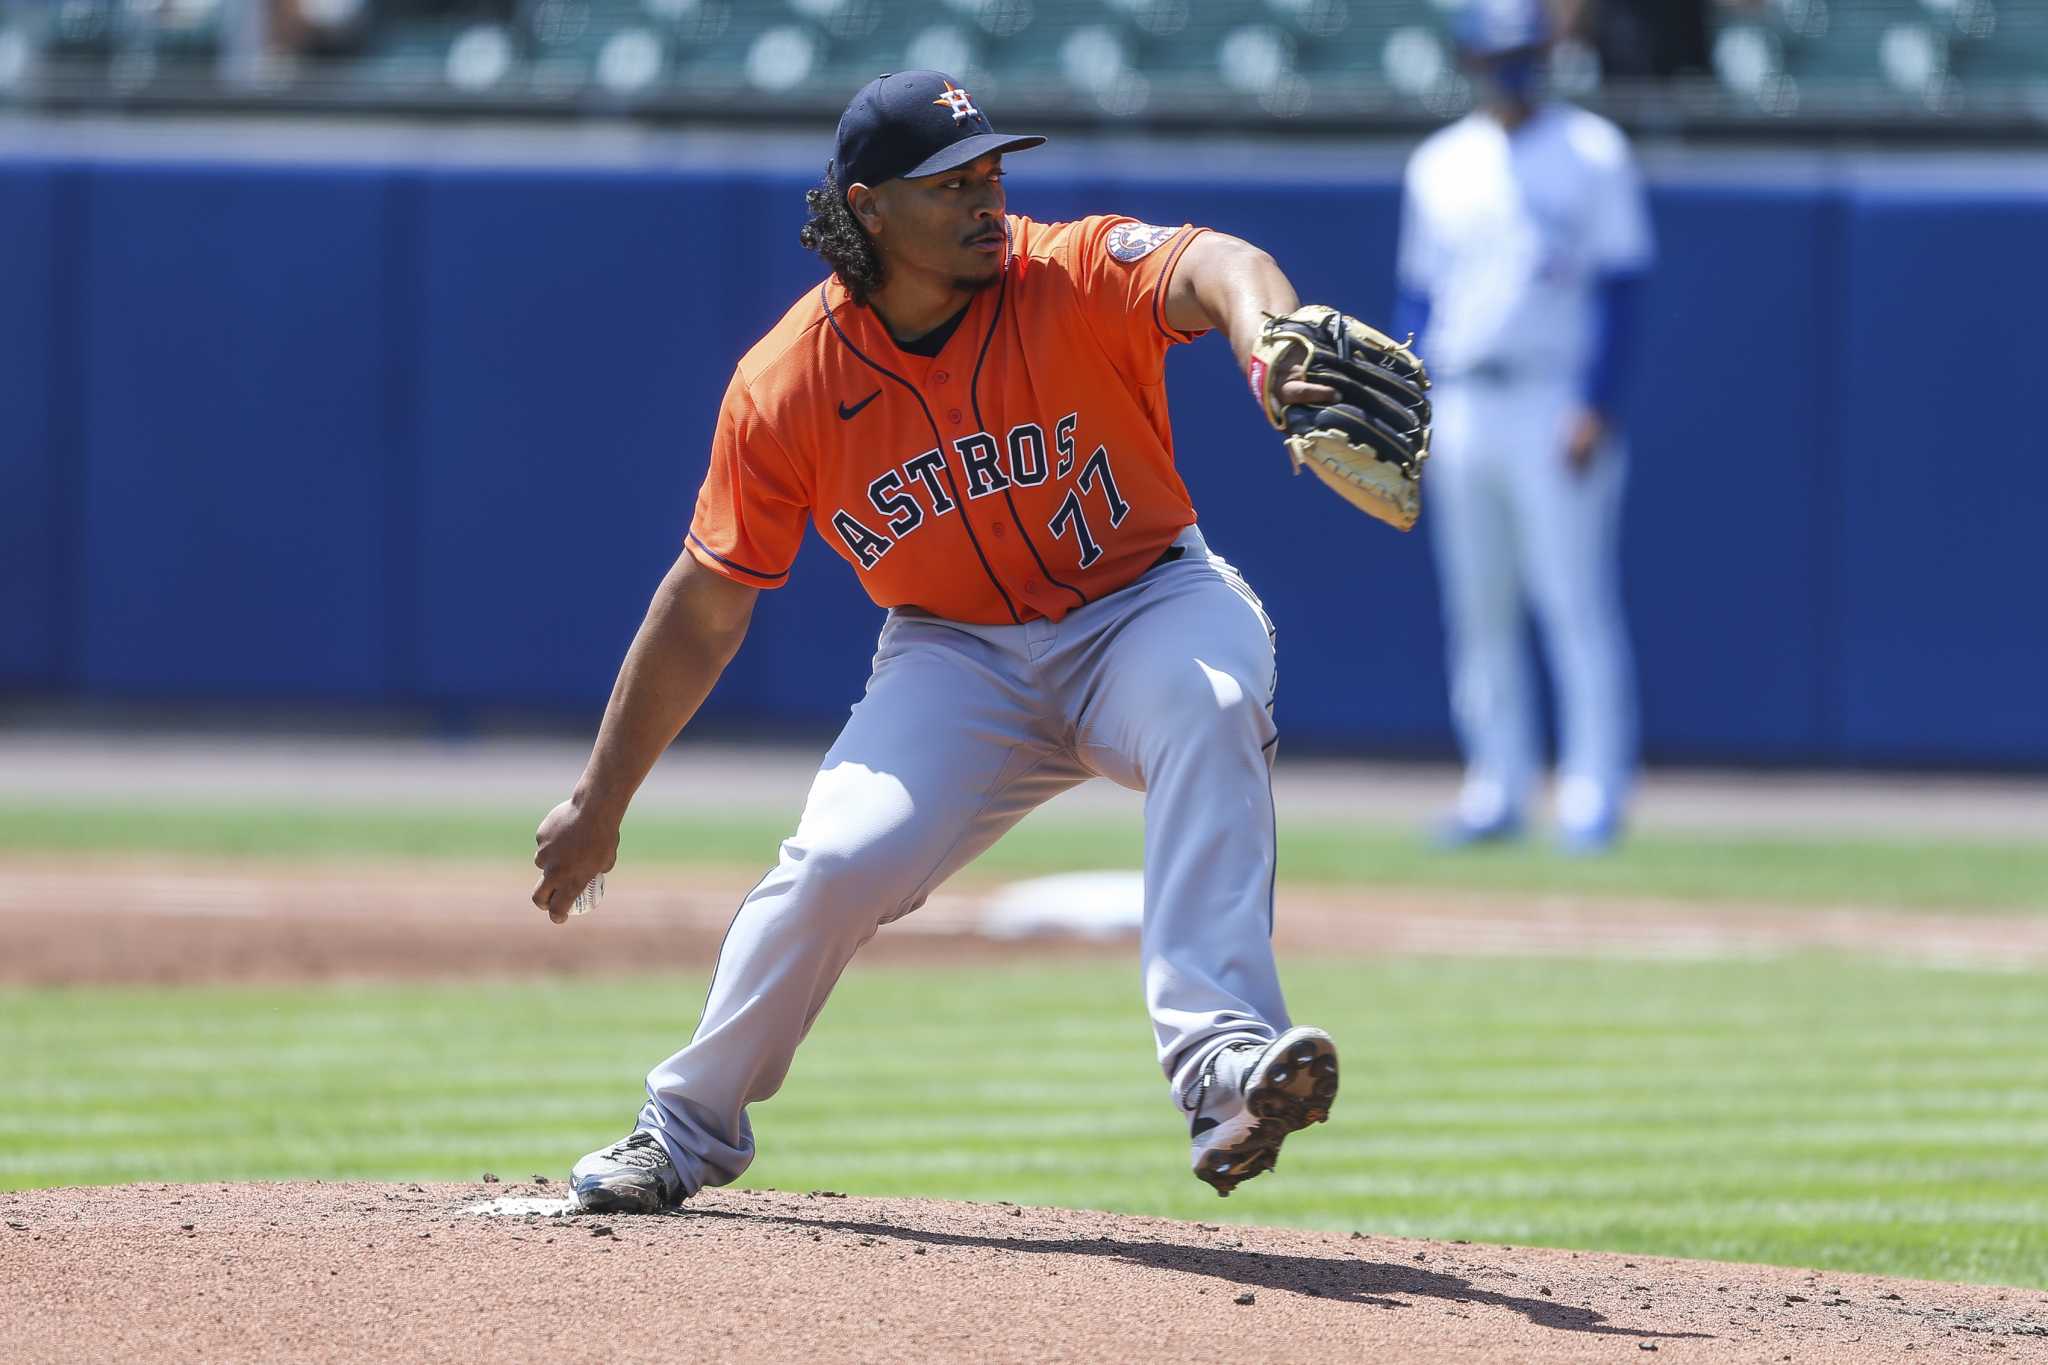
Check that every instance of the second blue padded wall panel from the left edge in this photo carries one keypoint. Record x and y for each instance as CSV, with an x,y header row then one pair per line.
x,y
232,431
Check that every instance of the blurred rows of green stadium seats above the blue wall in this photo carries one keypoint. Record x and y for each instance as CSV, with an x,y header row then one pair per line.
x,y
1084,58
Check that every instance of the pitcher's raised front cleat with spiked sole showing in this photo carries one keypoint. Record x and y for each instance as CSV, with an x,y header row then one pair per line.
x,y
1252,1096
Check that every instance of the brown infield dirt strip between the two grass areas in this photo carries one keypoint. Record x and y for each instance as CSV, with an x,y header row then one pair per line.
x,y
173,922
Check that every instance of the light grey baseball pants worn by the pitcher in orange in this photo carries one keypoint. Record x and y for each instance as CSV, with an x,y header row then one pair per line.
x,y
1164,687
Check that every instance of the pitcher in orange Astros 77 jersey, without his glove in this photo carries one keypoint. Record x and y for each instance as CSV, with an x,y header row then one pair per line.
x,y
972,414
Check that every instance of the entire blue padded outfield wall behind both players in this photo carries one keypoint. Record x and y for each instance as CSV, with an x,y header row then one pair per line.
x,y
429,435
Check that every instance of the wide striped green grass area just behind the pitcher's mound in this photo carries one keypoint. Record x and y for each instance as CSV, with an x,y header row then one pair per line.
x,y
1809,1112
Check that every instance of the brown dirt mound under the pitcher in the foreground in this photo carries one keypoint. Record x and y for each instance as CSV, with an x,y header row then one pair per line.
x,y
417,1274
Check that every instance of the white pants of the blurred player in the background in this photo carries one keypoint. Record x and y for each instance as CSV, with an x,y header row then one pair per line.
x,y
1512,525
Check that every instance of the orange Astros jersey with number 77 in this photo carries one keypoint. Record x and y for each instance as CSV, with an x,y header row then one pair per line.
x,y
1023,472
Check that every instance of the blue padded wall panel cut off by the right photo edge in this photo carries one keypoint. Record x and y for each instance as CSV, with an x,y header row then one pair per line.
x,y
1945,478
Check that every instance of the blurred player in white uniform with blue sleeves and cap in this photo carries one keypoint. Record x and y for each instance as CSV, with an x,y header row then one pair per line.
x,y
1525,243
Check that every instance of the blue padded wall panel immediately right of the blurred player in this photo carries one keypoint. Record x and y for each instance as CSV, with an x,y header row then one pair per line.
x,y
1730,509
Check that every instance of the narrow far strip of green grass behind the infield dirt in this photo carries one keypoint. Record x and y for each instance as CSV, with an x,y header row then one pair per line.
x,y
1779,871
